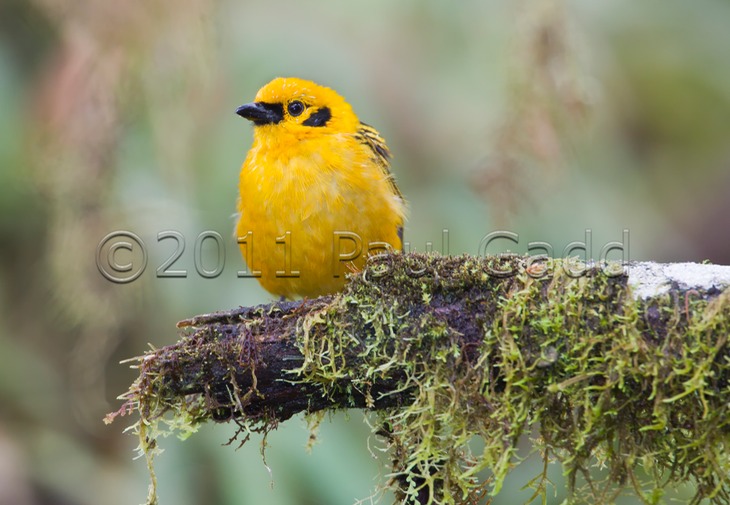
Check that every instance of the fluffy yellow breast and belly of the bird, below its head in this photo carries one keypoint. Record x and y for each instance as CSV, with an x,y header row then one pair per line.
x,y
311,209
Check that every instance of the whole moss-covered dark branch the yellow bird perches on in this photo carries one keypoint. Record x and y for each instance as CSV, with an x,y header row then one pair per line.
x,y
447,349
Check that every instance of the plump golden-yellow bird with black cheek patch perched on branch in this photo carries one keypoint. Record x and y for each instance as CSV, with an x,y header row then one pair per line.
x,y
316,193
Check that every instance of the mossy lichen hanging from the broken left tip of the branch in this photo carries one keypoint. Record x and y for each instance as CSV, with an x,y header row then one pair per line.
x,y
174,393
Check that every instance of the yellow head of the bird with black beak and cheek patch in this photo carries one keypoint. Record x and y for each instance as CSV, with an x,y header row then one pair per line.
x,y
299,107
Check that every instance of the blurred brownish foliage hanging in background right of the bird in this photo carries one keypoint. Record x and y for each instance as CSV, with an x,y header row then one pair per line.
x,y
549,103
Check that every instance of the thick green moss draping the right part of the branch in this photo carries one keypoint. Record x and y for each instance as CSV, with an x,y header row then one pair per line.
x,y
574,355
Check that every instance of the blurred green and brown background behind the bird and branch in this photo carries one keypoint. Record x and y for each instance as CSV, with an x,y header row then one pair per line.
x,y
545,118
